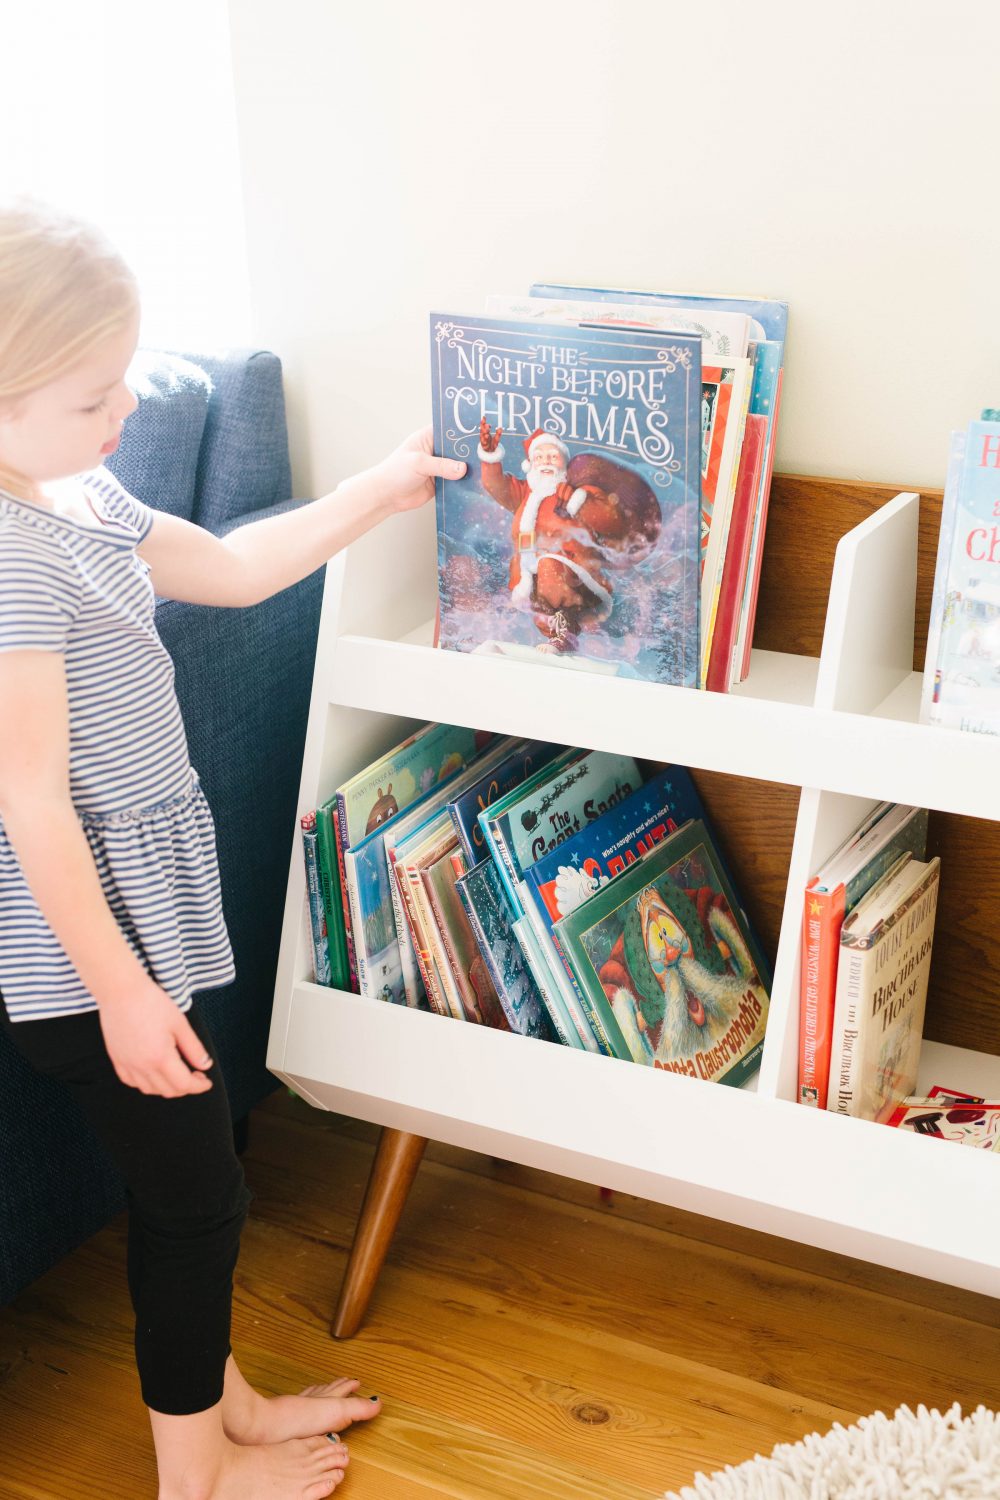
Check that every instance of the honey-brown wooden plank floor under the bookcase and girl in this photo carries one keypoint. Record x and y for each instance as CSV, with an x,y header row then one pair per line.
x,y
528,1337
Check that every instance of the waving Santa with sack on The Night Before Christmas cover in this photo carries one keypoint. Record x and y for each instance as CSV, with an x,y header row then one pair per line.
x,y
575,523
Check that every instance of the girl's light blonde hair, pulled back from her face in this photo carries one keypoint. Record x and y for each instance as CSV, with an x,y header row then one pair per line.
x,y
64,290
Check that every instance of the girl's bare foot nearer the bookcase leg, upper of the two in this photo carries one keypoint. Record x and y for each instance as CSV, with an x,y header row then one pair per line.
x,y
253,1418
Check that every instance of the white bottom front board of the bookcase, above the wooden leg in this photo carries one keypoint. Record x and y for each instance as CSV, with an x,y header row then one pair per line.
x,y
846,1186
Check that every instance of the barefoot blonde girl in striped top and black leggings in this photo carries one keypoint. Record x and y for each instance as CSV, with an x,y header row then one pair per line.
x,y
110,910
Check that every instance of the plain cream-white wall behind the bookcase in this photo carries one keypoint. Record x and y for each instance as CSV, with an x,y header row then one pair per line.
x,y
403,158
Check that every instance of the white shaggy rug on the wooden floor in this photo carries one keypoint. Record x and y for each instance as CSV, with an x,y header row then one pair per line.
x,y
906,1457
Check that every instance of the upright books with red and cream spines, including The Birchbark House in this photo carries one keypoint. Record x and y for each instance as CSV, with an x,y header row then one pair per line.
x,y
867,944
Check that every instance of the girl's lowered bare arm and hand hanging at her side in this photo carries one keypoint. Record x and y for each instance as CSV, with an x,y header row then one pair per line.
x,y
146,1036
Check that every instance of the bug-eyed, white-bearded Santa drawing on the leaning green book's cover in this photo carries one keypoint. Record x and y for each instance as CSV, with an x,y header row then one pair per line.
x,y
678,973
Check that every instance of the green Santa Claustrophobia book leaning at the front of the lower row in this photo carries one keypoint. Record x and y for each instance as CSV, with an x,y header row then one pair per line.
x,y
668,967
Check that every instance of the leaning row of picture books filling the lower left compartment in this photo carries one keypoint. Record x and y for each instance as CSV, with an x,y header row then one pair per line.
x,y
567,895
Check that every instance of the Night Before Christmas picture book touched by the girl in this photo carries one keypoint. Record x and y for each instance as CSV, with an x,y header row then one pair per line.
x,y
576,530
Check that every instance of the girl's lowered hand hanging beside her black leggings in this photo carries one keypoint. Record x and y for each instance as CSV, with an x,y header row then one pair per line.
x,y
152,1045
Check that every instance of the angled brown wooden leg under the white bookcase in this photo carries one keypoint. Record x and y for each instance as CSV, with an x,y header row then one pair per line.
x,y
394,1171
